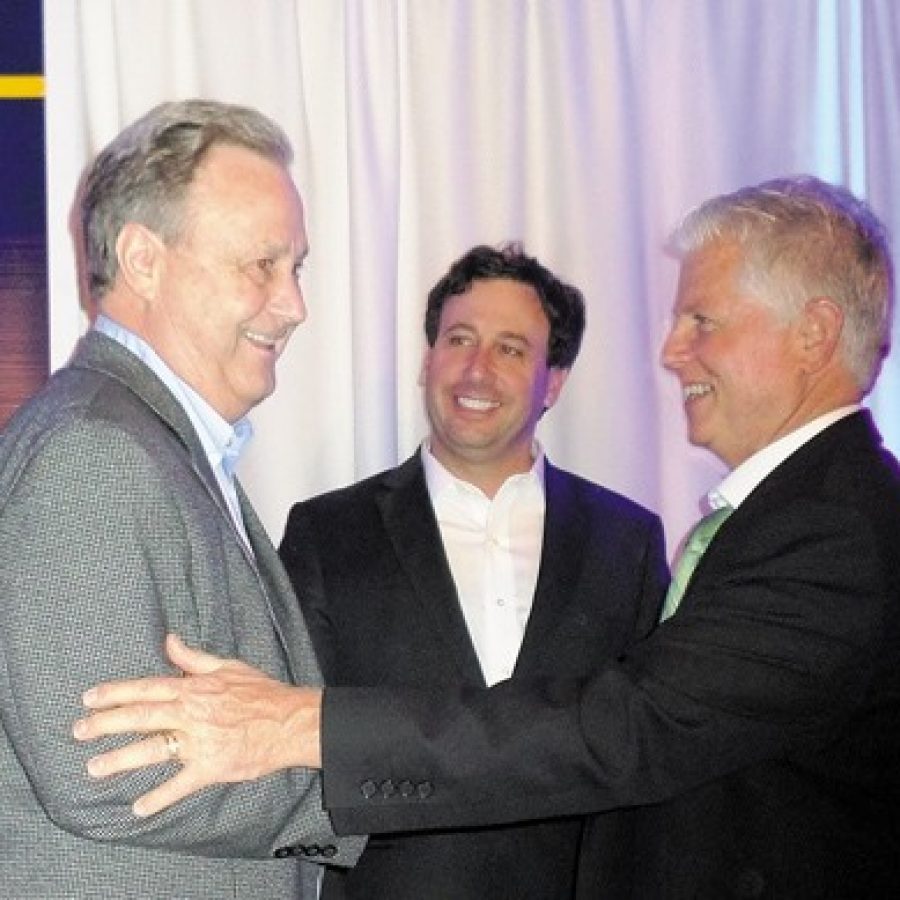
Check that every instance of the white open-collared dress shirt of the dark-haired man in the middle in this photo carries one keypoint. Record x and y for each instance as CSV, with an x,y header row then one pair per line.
x,y
494,550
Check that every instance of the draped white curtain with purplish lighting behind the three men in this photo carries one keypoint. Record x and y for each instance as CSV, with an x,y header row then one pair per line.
x,y
584,128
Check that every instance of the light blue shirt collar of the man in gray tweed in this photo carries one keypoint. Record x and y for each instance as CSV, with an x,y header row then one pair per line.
x,y
223,443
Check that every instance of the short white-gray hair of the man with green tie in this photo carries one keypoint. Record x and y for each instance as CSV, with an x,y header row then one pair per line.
x,y
802,238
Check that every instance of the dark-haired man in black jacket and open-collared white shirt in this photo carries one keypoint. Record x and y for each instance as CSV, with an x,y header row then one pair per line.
x,y
476,561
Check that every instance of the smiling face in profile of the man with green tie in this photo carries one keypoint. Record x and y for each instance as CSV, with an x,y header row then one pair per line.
x,y
743,371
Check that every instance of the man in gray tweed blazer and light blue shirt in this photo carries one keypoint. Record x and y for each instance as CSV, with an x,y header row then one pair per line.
x,y
121,520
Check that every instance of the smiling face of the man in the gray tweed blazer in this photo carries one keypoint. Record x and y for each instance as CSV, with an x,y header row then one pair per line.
x,y
226,298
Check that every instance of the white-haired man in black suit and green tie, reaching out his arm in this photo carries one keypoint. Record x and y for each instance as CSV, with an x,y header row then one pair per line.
x,y
757,730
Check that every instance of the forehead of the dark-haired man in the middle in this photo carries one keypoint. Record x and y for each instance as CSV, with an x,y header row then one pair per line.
x,y
502,302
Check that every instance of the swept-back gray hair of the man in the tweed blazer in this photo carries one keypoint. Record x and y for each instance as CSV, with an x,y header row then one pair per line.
x,y
144,174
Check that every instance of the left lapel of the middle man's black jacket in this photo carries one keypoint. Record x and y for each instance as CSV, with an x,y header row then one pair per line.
x,y
412,529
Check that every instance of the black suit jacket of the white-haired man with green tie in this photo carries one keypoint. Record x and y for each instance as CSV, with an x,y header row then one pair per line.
x,y
759,727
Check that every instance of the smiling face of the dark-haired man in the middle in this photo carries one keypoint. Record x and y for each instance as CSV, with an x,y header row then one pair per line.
x,y
487,381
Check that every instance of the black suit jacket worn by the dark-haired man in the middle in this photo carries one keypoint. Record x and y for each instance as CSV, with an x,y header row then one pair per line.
x,y
369,568
